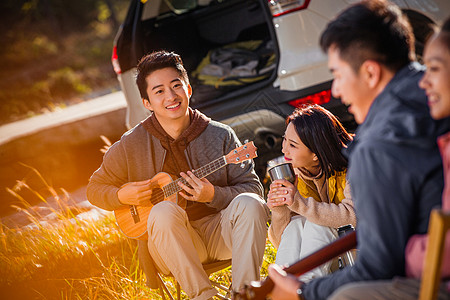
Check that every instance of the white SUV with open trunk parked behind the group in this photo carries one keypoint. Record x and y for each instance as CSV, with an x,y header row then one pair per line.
x,y
251,62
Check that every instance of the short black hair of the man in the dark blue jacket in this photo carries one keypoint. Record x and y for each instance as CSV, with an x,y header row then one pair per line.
x,y
371,30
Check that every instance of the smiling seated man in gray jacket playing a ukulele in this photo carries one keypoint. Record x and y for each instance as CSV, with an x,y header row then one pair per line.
x,y
225,216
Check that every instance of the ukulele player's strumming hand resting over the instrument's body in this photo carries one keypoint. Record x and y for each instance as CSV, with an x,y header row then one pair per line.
x,y
135,193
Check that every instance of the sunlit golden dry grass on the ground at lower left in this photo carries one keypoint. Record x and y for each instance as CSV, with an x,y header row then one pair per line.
x,y
75,256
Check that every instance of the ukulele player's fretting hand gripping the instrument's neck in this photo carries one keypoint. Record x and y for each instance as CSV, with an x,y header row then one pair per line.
x,y
200,190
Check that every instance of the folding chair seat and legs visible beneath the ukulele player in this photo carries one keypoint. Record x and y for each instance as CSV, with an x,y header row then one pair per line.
x,y
209,268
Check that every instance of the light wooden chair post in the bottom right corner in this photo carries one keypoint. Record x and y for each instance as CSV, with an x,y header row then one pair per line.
x,y
437,229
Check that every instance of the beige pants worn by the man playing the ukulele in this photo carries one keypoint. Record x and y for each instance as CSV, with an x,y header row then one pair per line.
x,y
180,247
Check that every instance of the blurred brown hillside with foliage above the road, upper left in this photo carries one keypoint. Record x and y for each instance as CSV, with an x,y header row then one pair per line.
x,y
55,53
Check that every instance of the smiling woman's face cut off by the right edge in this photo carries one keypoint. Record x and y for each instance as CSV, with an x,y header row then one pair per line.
x,y
436,81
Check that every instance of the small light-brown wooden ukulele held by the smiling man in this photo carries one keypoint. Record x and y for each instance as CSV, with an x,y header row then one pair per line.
x,y
132,219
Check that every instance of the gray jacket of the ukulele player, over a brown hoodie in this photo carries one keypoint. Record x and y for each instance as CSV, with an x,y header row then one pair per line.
x,y
130,160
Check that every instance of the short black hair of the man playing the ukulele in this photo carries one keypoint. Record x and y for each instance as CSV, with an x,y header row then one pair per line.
x,y
155,61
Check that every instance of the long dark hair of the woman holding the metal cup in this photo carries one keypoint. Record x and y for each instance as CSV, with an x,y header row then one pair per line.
x,y
323,134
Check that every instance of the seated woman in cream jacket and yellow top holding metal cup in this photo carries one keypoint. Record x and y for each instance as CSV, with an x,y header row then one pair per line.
x,y
307,211
